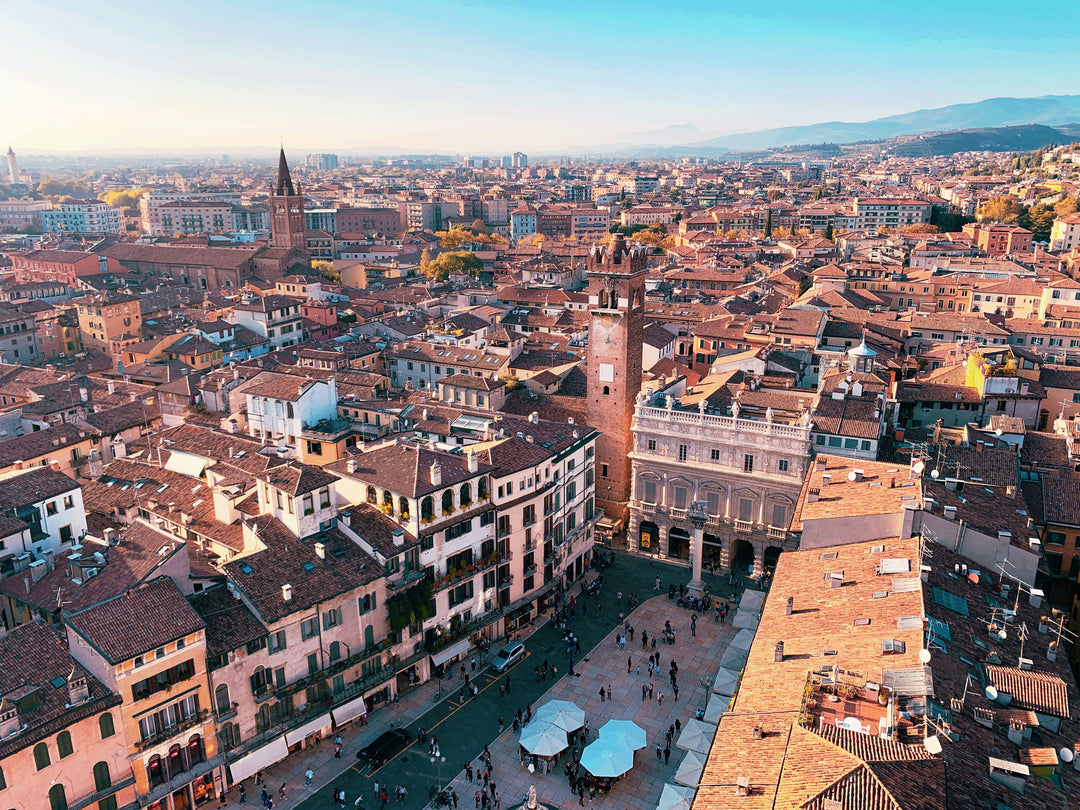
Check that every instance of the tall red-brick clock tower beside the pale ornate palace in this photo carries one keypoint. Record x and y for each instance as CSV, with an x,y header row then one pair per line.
x,y
617,319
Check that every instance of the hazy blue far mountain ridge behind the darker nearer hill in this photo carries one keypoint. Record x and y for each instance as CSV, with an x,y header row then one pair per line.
x,y
993,113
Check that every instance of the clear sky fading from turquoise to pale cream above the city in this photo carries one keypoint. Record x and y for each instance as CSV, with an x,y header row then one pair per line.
x,y
491,78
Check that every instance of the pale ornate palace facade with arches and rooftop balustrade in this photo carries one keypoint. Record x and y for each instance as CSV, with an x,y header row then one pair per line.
x,y
749,469
